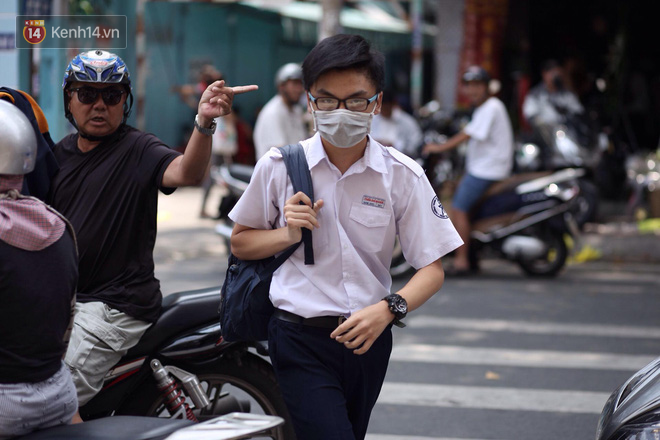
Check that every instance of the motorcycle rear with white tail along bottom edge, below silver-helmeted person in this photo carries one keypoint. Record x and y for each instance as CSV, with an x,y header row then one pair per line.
x,y
232,426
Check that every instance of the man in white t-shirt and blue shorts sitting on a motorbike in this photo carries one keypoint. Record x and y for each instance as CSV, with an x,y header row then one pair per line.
x,y
489,156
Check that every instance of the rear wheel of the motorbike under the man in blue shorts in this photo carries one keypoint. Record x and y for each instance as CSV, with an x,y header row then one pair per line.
x,y
554,258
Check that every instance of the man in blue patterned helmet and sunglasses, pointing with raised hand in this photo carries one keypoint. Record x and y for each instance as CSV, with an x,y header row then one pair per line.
x,y
107,186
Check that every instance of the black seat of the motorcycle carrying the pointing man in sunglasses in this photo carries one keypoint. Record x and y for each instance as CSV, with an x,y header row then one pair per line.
x,y
181,312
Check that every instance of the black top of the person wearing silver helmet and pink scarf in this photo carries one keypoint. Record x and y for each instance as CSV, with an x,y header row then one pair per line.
x,y
36,290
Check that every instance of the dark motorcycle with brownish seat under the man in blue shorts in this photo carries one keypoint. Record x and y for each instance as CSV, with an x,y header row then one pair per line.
x,y
522,219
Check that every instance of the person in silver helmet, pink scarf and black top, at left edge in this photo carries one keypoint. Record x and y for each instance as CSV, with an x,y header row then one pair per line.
x,y
38,274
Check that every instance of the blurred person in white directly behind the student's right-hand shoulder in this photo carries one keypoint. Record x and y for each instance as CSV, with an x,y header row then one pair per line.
x,y
395,127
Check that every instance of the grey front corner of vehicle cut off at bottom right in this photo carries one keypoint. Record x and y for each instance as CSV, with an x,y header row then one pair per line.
x,y
633,410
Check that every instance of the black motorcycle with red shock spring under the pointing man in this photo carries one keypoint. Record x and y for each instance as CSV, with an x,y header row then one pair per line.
x,y
182,368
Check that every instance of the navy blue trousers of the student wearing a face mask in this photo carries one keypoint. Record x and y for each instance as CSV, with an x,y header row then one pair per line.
x,y
328,390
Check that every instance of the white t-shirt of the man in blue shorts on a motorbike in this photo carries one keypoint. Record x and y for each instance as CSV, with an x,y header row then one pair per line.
x,y
490,148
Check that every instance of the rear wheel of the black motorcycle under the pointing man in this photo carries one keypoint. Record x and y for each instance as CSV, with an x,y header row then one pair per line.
x,y
248,378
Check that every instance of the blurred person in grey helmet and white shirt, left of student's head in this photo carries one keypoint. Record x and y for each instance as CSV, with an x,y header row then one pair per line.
x,y
282,120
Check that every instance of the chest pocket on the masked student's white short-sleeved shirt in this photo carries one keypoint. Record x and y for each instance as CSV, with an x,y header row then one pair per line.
x,y
368,226
